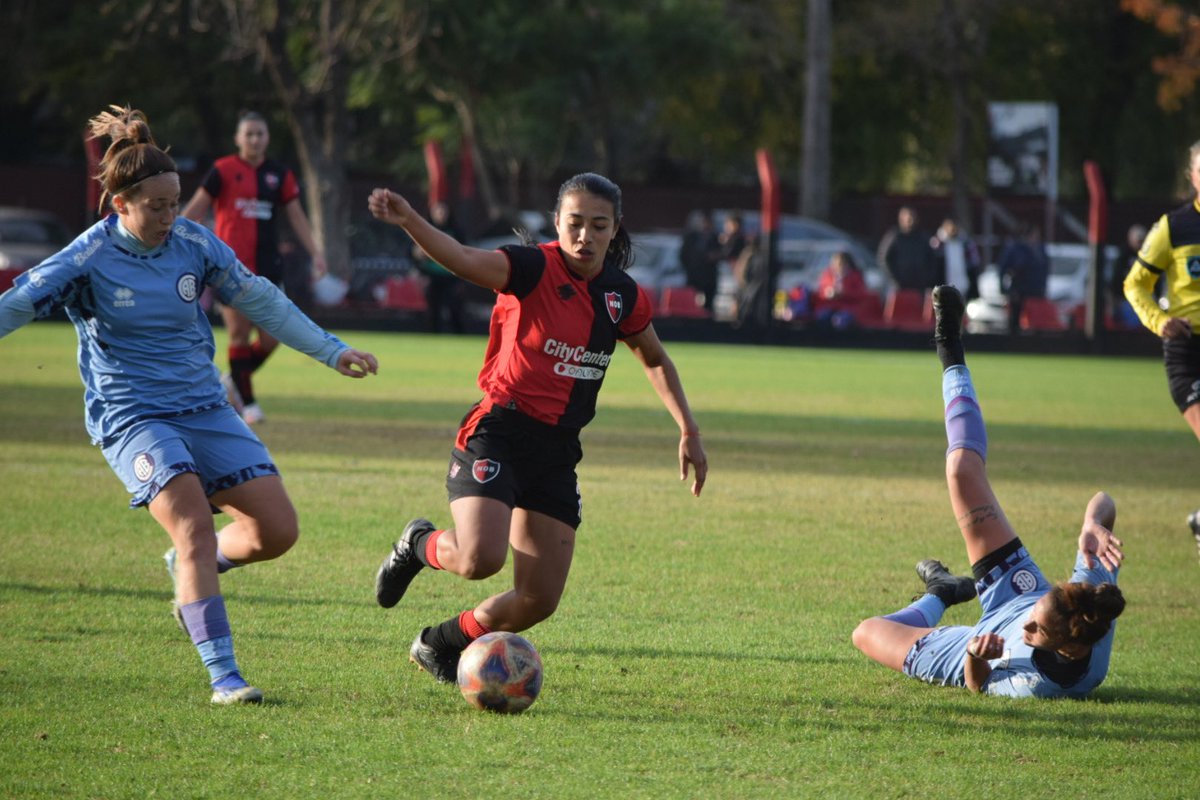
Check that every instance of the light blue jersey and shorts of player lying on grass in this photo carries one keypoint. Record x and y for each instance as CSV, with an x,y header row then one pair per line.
x,y
1009,594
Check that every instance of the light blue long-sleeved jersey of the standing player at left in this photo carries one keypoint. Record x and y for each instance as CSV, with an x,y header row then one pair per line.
x,y
146,346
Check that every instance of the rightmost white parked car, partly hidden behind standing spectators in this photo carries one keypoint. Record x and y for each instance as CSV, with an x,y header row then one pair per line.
x,y
1067,286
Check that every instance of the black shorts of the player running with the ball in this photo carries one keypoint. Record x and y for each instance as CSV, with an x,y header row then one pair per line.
x,y
521,462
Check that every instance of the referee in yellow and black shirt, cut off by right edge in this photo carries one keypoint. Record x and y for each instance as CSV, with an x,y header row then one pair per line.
x,y
1172,254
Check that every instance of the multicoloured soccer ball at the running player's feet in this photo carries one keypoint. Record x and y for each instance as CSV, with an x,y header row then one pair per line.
x,y
501,672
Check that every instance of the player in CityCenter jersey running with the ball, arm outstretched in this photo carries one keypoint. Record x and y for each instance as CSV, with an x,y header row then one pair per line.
x,y
561,310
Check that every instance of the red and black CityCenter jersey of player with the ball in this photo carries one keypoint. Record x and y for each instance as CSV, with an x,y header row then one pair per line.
x,y
554,334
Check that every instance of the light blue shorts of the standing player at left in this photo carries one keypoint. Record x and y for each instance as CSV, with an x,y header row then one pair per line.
x,y
217,446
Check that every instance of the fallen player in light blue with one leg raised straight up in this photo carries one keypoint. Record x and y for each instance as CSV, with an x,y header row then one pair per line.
x,y
1034,640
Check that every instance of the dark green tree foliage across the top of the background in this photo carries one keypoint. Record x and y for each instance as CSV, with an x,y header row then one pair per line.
x,y
670,91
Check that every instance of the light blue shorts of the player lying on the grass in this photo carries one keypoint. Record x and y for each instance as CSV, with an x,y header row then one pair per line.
x,y
1007,594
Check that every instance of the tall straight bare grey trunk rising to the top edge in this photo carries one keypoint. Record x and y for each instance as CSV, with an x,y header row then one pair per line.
x,y
818,111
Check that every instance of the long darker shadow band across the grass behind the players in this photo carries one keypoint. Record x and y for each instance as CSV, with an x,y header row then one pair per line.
x,y
784,442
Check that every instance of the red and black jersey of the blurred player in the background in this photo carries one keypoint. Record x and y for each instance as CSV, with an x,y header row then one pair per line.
x,y
245,202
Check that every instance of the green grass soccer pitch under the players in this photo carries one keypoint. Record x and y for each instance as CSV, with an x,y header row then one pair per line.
x,y
703,648
